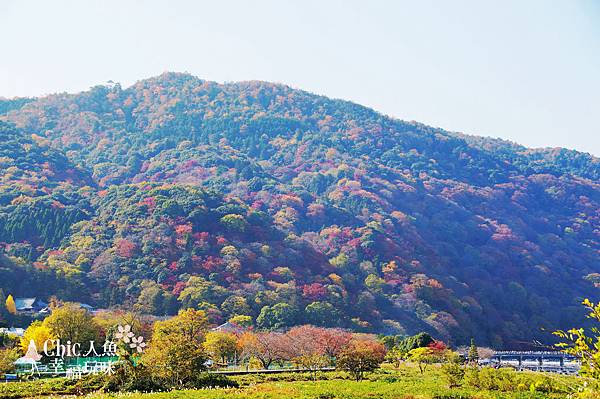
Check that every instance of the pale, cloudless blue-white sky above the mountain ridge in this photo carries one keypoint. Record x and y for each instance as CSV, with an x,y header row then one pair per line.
x,y
524,70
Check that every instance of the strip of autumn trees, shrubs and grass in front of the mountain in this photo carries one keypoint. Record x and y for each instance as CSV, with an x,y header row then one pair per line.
x,y
180,347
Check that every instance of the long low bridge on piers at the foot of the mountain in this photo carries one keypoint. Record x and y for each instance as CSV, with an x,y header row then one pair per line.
x,y
554,362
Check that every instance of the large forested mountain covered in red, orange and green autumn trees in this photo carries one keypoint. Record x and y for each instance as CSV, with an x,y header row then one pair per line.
x,y
256,198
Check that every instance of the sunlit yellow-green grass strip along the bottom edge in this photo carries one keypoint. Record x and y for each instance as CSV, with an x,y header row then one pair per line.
x,y
405,383
